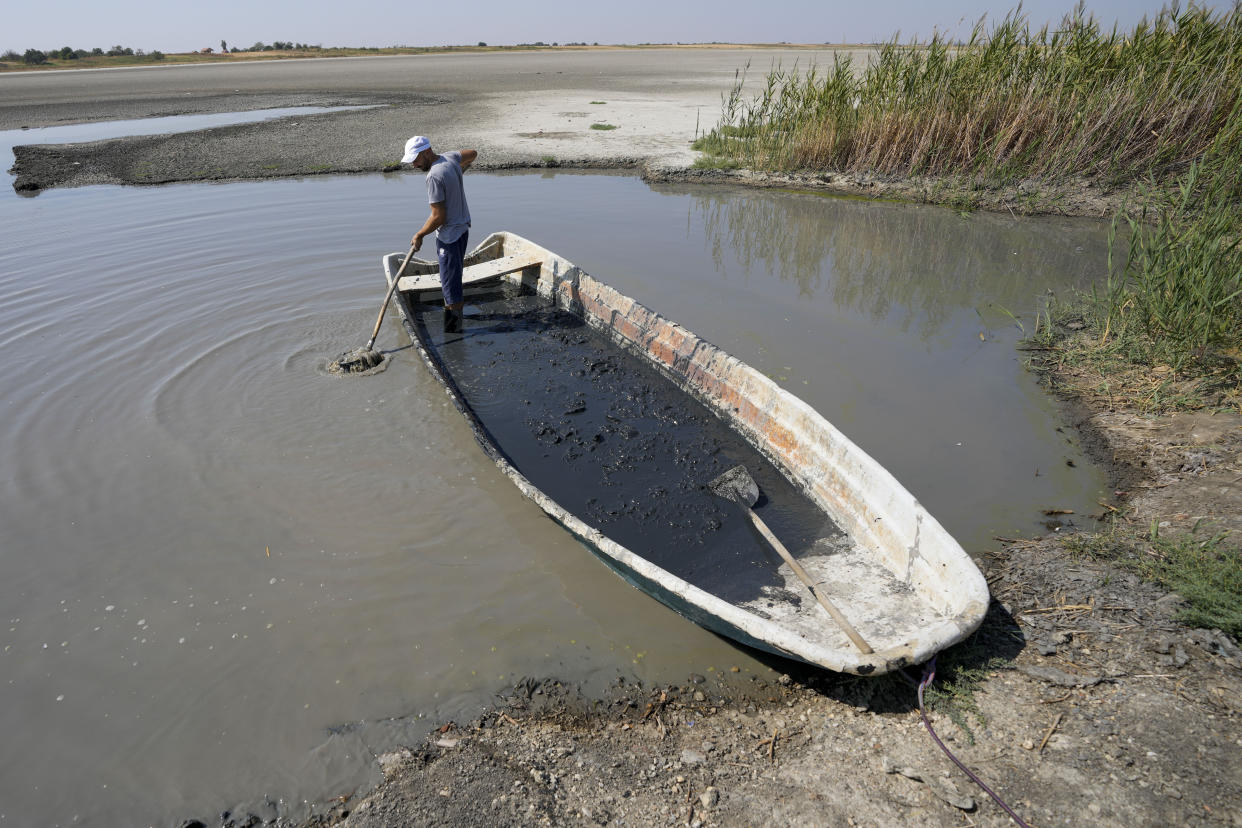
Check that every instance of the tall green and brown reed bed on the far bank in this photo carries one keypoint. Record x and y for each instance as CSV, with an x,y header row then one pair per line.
x,y
1010,104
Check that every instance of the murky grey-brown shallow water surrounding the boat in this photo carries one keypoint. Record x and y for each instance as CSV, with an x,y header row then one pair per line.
x,y
229,577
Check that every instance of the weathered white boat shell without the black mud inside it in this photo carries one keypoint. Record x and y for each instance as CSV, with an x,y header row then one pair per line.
x,y
901,578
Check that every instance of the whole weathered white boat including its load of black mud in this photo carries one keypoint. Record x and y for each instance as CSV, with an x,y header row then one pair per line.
x,y
635,414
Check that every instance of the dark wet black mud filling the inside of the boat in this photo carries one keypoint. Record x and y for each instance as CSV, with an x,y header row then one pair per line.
x,y
619,445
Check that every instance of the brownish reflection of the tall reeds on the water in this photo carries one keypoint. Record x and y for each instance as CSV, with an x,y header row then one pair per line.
x,y
913,266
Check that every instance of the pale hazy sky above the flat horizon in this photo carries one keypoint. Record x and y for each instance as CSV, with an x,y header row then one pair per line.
x,y
179,27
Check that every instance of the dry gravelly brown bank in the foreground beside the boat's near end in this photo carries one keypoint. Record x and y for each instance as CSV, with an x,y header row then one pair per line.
x,y
1094,706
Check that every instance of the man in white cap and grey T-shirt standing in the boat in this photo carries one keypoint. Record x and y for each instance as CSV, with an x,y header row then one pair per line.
x,y
449,219
